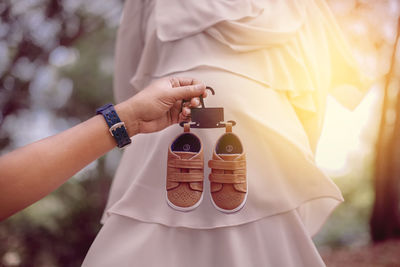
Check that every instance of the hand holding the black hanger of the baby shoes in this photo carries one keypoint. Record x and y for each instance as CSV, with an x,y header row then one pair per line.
x,y
159,104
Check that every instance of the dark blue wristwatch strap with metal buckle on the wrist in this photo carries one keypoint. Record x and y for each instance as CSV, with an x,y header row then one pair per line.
x,y
117,127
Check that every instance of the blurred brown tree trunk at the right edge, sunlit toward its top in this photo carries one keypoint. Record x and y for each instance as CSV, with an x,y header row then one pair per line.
x,y
385,219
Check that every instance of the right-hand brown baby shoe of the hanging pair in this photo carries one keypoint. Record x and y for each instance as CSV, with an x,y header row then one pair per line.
x,y
228,173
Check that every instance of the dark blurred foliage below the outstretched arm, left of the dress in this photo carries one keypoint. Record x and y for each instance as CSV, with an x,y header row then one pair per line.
x,y
59,229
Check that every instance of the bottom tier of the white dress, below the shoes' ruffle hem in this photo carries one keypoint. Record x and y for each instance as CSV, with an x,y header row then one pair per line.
x,y
279,240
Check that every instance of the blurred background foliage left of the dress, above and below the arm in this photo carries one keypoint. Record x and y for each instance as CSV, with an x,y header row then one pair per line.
x,y
52,50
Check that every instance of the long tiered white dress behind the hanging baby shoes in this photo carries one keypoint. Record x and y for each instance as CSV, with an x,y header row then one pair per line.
x,y
272,64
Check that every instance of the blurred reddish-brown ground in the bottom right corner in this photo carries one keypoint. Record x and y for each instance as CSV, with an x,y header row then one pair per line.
x,y
385,254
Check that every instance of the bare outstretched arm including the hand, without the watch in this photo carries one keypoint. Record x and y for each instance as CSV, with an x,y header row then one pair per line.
x,y
31,172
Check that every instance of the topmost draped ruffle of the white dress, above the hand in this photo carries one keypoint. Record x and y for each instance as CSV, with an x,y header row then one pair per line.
x,y
299,51
